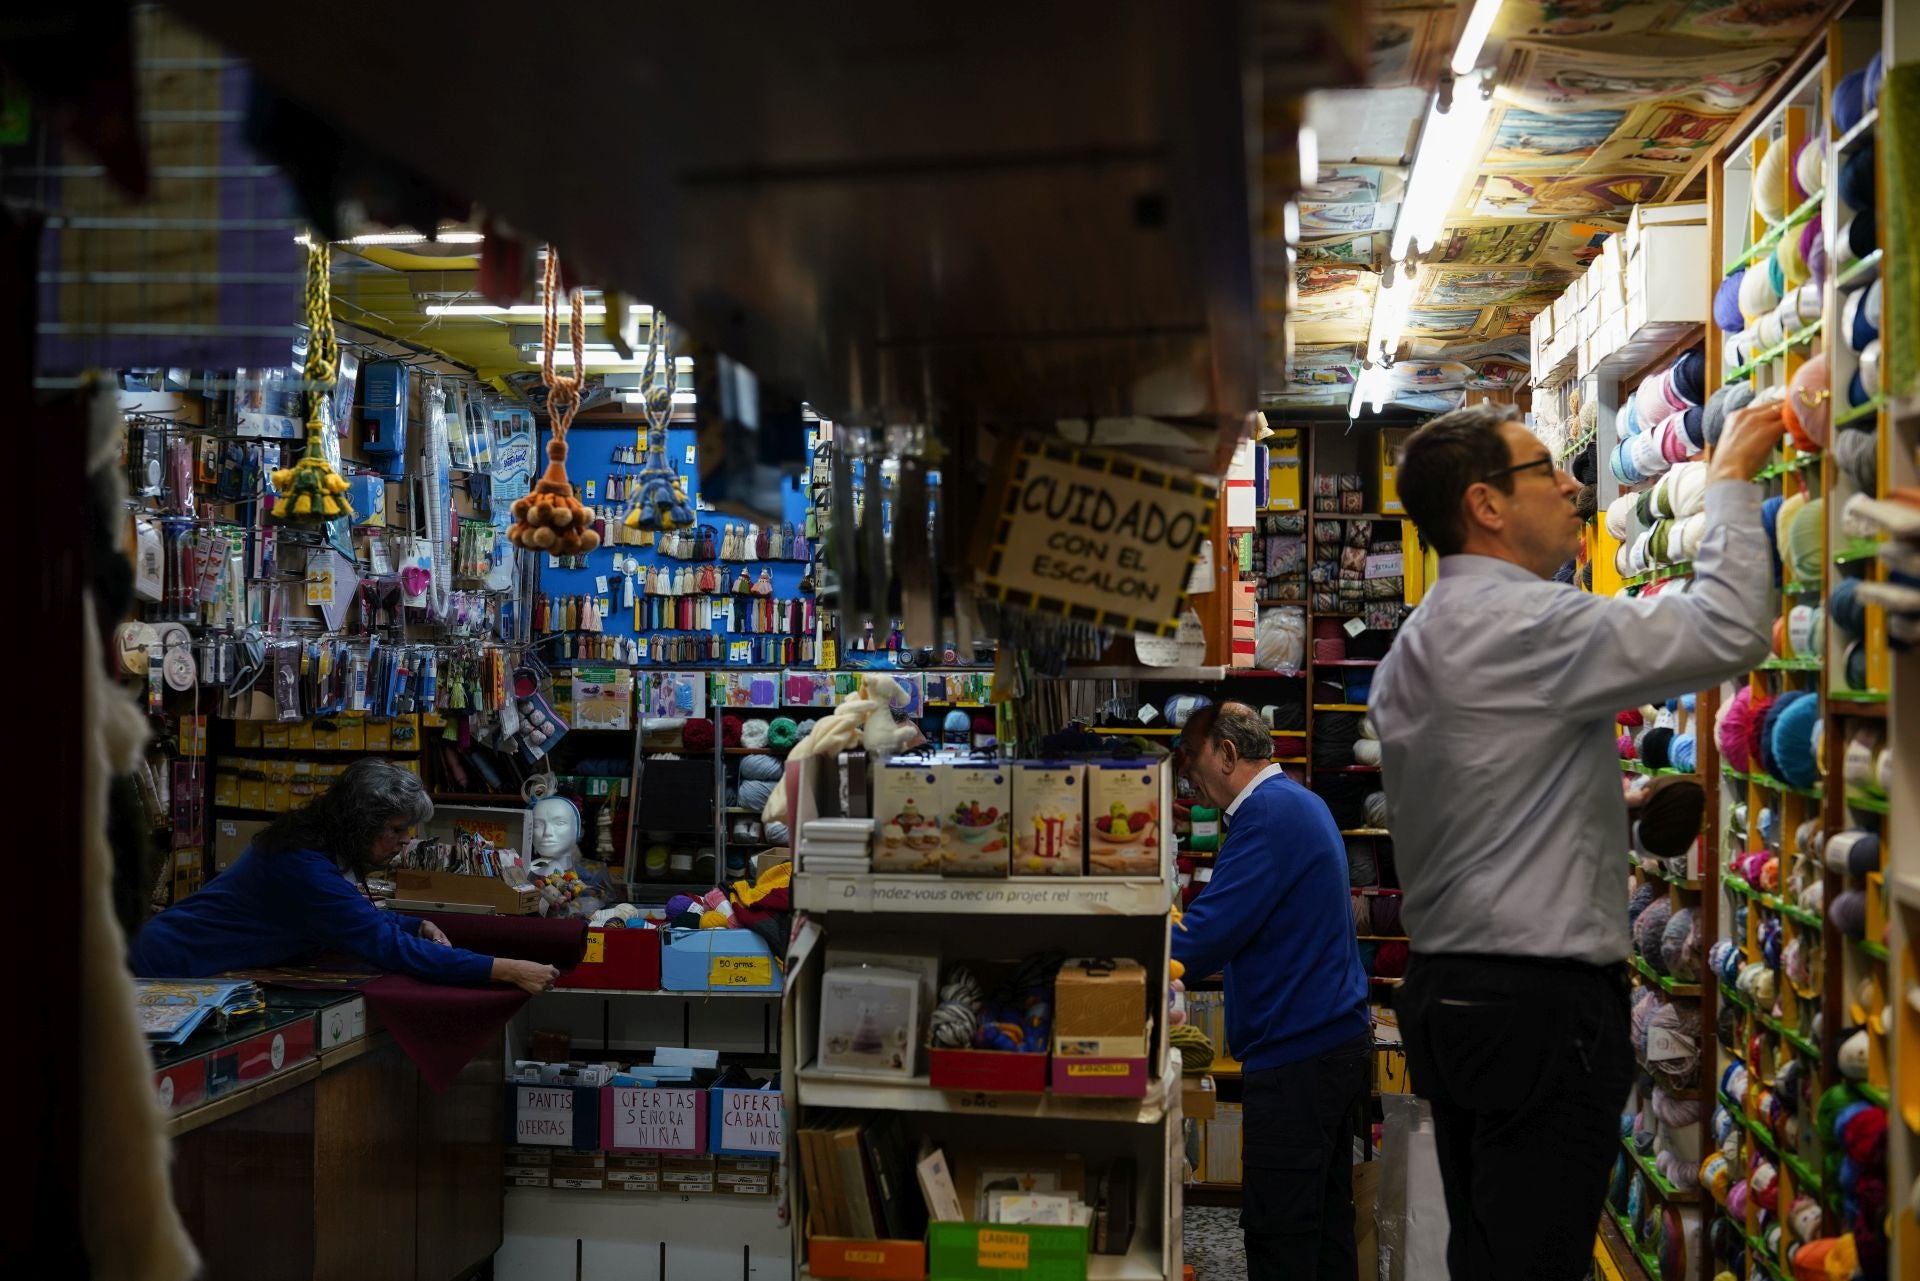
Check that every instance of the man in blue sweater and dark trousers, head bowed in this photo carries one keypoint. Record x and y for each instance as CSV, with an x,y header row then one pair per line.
x,y
1278,923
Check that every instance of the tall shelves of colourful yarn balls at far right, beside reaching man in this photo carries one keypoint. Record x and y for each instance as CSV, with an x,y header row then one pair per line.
x,y
1800,865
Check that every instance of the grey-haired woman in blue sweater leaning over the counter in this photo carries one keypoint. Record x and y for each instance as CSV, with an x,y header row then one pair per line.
x,y
300,890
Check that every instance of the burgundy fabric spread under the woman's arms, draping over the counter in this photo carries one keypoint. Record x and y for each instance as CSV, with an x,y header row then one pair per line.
x,y
443,1028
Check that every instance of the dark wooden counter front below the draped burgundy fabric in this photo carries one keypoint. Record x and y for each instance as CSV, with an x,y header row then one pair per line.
x,y
347,1169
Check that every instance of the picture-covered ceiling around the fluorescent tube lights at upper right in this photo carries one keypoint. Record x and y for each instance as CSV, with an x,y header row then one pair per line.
x,y
1598,107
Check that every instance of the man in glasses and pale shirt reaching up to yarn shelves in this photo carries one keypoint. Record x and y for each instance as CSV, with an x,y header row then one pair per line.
x,y
1495,712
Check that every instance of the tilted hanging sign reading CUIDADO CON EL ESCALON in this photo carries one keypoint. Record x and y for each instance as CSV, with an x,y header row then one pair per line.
x,y
1093,537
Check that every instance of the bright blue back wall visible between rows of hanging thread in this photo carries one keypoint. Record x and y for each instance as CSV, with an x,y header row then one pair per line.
x,y
590,452
